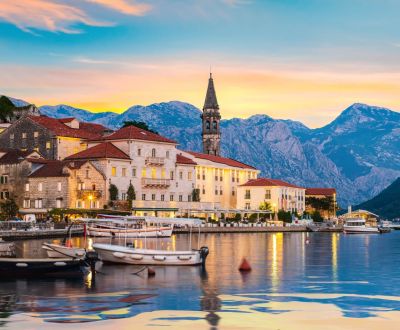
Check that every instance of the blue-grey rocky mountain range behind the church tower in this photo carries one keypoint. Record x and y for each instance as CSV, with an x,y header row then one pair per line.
x,y
358,153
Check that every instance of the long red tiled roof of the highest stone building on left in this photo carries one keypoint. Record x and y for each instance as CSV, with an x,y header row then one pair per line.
x,y
60,129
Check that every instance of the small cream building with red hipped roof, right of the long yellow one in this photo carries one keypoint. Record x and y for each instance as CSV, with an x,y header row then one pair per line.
x,y
279,194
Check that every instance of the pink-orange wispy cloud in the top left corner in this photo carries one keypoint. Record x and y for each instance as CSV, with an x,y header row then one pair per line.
x,y
45,15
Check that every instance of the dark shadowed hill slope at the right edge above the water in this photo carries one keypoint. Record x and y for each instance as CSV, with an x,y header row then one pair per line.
x,y
386,204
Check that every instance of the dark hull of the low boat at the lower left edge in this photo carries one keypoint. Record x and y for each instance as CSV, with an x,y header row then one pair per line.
x,y
21,267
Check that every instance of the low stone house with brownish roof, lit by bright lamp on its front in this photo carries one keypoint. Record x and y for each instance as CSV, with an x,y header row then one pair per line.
x,y
64,184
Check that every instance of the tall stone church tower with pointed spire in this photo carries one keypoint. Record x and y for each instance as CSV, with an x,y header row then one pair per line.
x,y
211,130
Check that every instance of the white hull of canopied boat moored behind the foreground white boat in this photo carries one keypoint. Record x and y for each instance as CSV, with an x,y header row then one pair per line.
x,y
129,233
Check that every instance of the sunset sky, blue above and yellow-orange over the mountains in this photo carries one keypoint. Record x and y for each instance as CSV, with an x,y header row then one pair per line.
x,y
304,60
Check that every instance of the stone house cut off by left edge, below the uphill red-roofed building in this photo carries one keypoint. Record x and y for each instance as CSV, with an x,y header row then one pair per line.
x,y
15,166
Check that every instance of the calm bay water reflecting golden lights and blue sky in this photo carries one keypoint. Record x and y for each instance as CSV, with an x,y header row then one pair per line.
x,y
335,281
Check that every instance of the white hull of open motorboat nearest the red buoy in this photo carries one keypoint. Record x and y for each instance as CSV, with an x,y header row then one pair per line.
x,y
127,255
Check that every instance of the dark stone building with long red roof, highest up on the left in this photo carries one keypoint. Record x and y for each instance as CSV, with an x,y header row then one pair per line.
x,y
53,138
